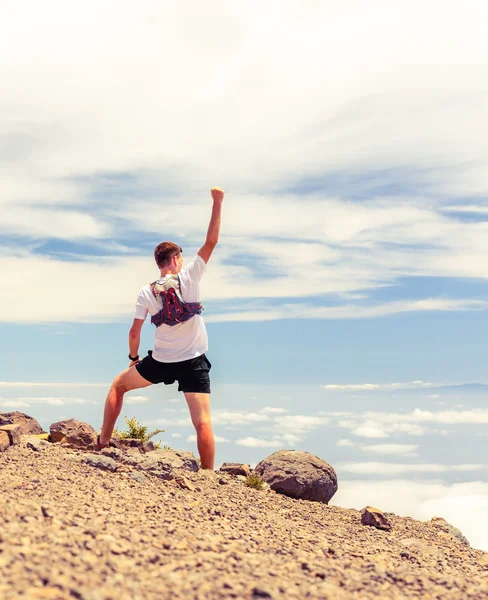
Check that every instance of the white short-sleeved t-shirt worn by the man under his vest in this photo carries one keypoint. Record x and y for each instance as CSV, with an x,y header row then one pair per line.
x,y
185,340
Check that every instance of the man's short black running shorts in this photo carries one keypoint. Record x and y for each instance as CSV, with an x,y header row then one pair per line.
x,y
192,375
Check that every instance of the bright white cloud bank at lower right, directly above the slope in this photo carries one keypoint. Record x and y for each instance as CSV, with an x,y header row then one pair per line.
x,y
464,505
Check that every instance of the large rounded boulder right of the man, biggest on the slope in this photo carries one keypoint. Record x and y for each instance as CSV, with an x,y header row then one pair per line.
x,y
299,475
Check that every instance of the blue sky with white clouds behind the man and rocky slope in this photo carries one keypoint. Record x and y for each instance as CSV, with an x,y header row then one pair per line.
x,y
346,301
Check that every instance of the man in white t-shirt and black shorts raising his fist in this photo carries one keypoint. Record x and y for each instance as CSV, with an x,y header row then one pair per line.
x,y
173,301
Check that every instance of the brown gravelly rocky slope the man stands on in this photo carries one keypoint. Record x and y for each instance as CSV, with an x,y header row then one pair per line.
x,y
72,530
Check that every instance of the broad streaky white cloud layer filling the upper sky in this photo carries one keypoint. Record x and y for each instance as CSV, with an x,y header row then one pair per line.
x,y
346,151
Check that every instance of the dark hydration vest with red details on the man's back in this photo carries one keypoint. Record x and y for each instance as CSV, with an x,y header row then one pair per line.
x,y
174,309
